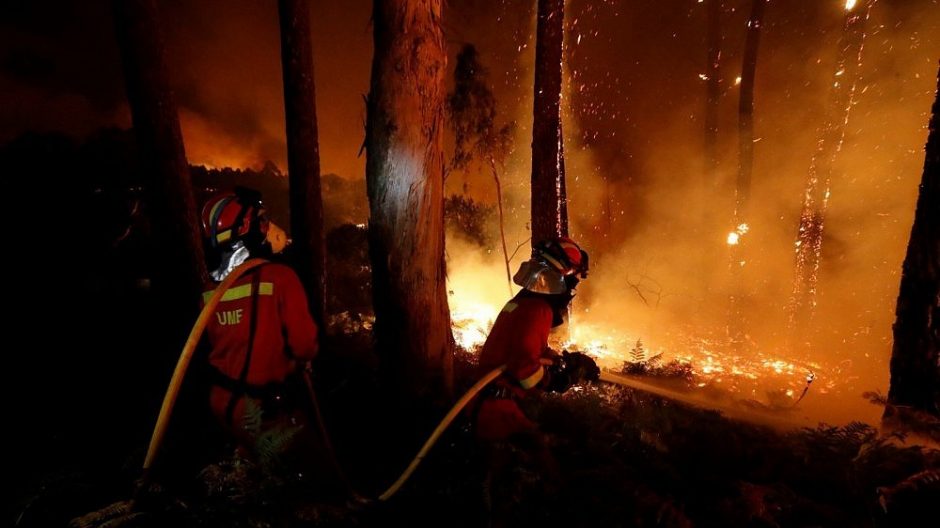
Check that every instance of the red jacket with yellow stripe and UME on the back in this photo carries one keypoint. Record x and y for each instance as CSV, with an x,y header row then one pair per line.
x,y
284,335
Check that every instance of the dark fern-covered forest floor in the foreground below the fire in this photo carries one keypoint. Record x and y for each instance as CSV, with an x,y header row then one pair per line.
x,y
626,459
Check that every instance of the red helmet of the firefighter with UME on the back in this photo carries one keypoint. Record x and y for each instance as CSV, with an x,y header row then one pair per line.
x,y
233,216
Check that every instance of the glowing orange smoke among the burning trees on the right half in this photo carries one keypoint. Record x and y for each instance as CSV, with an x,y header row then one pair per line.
x,y
633,108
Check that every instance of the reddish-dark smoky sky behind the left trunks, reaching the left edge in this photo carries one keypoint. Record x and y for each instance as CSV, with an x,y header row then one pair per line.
x,y
62,68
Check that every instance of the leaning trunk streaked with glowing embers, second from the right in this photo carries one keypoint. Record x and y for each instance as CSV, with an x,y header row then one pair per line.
x,y
828,145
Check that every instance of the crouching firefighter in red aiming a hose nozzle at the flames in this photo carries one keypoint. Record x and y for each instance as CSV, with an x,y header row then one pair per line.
x,y
519,339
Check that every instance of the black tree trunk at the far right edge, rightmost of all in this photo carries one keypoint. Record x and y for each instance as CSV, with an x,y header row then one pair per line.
x,y
915,356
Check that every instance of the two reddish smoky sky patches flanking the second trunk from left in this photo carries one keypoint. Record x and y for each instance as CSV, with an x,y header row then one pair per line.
x,y
226,61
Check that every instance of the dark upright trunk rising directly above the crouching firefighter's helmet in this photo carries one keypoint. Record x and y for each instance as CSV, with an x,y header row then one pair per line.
x,y
549,212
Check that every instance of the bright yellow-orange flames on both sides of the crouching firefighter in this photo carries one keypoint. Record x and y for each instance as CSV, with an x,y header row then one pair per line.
x,y
477,293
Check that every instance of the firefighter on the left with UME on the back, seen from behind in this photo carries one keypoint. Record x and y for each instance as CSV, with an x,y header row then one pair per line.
x,y
261,336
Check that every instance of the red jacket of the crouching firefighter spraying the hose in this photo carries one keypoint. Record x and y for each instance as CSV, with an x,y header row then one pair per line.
x,y
519,339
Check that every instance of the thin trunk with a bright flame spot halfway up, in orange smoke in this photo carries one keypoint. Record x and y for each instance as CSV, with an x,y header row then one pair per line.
x,y
742,189
